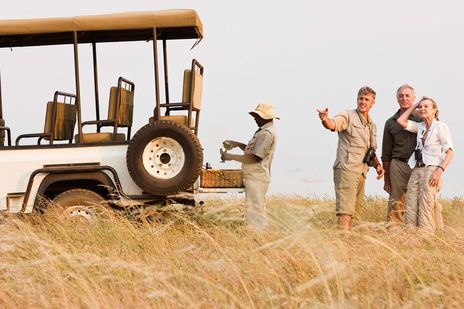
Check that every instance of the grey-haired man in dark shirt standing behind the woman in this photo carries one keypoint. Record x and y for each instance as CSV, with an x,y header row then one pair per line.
x,y
397,147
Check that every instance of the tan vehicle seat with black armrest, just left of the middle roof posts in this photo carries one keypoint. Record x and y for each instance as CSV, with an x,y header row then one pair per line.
x,y
60,120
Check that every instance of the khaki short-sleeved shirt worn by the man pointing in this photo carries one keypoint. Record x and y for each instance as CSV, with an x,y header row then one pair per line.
x,y
355,136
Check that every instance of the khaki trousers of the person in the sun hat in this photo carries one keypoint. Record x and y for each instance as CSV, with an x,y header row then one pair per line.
x,y
255,194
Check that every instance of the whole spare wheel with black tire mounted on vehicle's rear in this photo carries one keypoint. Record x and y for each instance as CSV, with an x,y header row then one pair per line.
x,y
164,158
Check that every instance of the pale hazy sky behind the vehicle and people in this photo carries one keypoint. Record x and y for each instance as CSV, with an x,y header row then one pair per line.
x,y
299,55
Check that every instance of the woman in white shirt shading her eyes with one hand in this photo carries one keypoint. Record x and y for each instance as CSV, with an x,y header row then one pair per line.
x,y
430,159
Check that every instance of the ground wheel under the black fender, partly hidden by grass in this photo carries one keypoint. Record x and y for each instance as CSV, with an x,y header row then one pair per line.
x,y
79,204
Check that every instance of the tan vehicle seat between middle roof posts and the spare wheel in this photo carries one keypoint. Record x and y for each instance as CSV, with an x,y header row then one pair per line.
x,y
120,107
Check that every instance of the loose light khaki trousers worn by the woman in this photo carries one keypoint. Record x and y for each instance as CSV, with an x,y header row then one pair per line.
x,y
421,209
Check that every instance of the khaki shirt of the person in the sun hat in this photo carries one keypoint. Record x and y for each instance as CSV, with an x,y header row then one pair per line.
x,y
262,144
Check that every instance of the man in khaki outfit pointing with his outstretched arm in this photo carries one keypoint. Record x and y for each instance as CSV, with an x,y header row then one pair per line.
x,y
357,142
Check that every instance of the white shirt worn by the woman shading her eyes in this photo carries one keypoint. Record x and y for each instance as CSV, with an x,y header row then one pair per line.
x,y
436,145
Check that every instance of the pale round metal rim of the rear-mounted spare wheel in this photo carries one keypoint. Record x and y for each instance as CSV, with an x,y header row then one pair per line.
x,y
163,158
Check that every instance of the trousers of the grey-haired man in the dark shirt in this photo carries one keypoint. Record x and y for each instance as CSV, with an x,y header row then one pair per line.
x,y
399,177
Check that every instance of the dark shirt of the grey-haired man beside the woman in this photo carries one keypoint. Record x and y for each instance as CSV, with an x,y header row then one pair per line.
x,y
397,142
